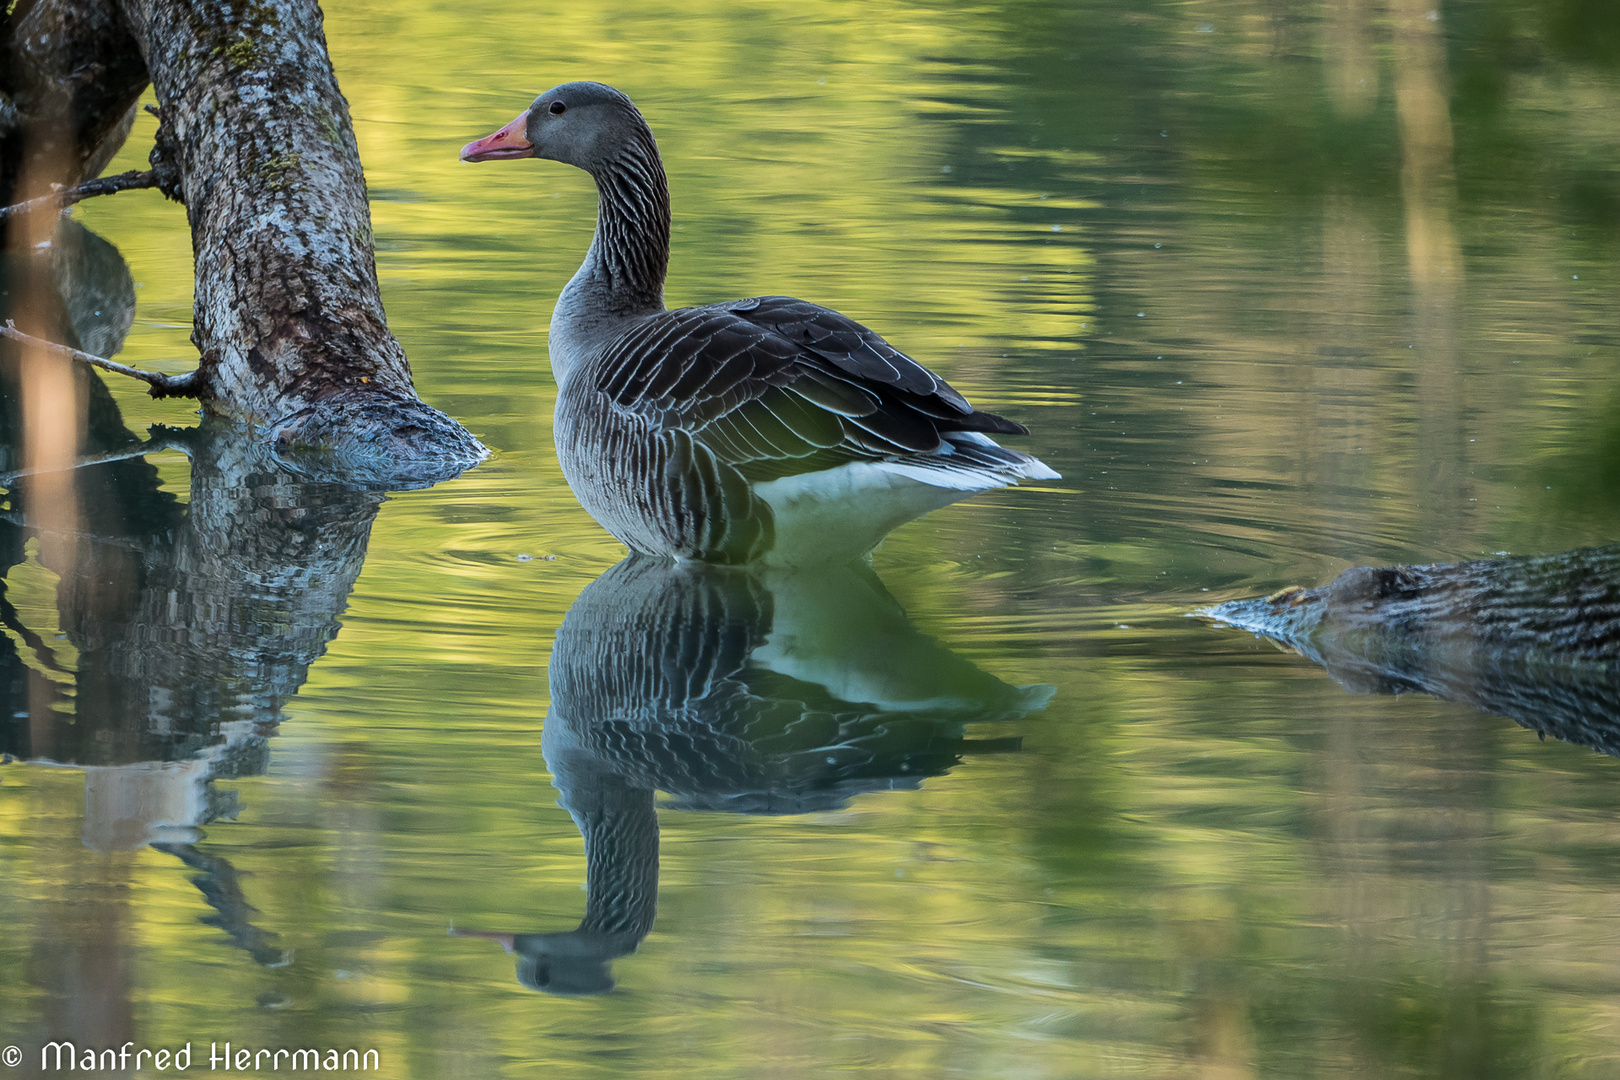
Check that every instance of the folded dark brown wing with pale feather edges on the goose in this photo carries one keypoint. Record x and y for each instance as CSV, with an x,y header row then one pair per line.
x,y
777,386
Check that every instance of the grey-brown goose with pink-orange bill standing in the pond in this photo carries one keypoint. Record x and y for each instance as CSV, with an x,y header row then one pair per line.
x,y
759,430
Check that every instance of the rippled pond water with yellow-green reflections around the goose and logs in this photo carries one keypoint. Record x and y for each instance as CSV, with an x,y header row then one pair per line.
x,y
1277,289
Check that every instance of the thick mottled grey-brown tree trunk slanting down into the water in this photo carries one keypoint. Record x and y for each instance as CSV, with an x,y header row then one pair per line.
x,y
289,320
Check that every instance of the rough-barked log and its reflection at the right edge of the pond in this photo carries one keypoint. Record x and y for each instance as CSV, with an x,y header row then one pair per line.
x,y
1532,639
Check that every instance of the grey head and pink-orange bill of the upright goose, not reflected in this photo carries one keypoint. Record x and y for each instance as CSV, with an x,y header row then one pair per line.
x,y
587,125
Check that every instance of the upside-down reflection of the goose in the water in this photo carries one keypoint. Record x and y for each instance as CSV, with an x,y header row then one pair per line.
x,y
733,691
